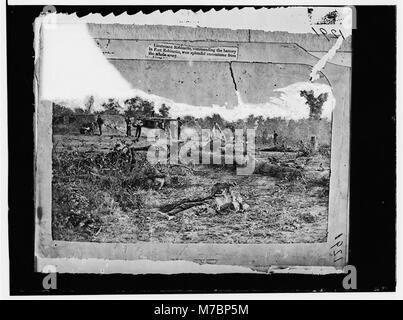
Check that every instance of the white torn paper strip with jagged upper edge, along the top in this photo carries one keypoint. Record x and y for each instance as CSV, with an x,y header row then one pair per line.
x,y
267,19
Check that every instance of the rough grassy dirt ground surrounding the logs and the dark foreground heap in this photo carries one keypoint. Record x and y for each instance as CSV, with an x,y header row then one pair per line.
x,y
105,210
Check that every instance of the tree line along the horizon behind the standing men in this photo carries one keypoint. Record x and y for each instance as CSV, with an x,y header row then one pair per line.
x,y
289,130
